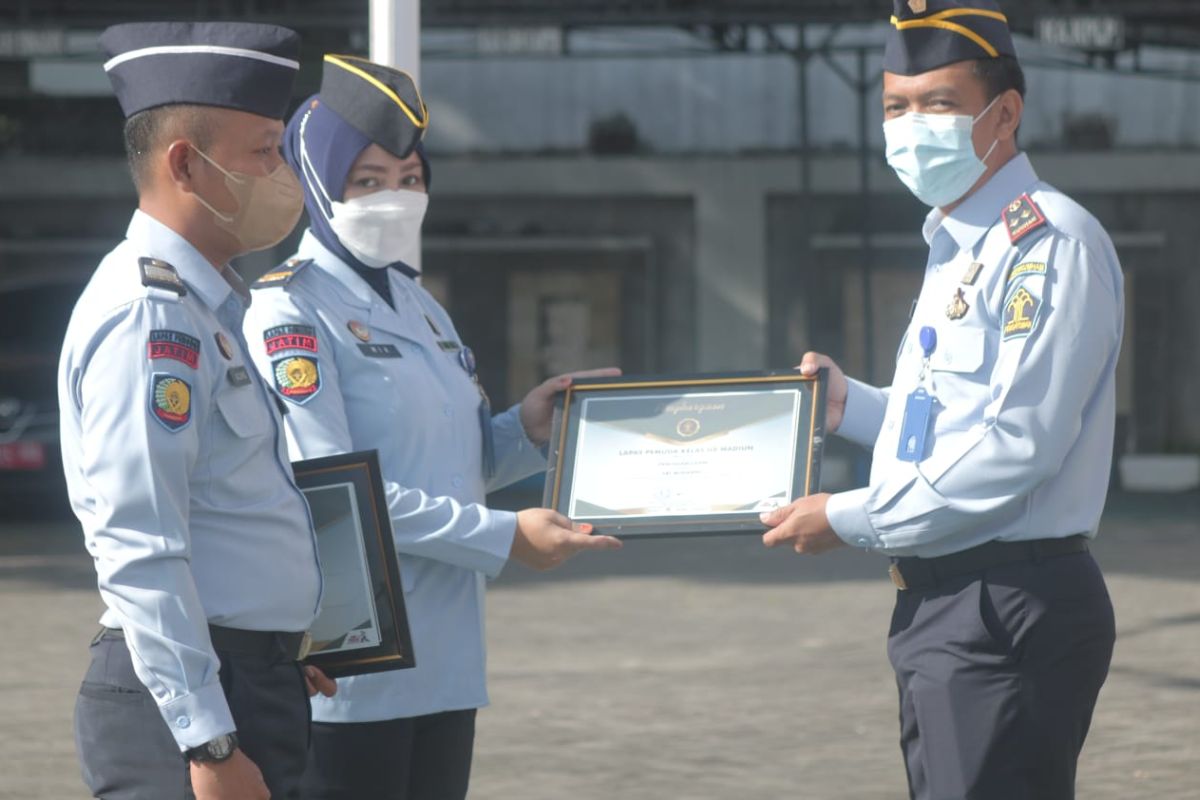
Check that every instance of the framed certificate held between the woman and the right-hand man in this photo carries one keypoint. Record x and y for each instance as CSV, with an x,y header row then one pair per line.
x,y
685,456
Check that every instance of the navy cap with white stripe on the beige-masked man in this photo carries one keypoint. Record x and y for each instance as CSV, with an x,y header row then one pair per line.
x,y
245,67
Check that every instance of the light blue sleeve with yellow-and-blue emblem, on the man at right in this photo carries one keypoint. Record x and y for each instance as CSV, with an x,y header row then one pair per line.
x,y
1040,386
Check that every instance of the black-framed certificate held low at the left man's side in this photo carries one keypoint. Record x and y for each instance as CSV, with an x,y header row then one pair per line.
x,y
363,627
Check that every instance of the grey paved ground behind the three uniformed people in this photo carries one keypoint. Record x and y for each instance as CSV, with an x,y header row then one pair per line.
x,y
707,670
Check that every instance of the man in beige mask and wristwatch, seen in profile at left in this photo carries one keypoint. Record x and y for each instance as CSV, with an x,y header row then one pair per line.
x,y
173,448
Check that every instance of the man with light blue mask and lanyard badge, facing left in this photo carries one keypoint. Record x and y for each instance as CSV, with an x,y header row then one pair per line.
x,y
993,447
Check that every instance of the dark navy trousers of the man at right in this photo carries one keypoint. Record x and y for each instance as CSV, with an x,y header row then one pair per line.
x,y
999,673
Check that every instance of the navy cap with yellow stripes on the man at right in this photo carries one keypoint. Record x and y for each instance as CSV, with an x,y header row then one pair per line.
x,y
931,34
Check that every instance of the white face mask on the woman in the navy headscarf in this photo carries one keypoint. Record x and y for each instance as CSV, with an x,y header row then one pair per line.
x,y
383,227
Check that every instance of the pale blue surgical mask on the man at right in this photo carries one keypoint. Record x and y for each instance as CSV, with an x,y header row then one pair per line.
x,y
934,154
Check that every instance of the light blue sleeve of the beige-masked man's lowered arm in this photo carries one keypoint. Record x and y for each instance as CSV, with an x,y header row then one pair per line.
x,y
139,532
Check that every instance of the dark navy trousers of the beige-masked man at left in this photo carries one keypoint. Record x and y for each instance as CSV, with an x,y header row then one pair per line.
x,y
127,749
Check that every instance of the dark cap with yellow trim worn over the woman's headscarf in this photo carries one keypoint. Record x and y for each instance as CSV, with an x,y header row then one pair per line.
x,y
380,103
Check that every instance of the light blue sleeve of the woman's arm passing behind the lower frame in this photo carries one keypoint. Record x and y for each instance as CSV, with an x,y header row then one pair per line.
x,y
441,528
